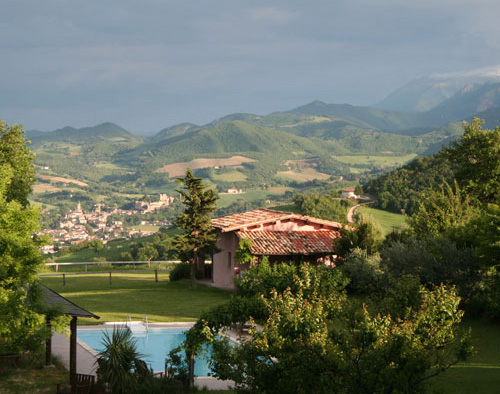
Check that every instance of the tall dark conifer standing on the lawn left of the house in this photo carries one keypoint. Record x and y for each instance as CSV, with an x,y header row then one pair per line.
x,y
199,237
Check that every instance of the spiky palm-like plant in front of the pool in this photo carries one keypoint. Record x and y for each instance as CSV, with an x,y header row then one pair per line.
x,y
120,364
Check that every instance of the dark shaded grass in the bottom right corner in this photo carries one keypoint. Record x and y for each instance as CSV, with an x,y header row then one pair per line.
x,y
480,375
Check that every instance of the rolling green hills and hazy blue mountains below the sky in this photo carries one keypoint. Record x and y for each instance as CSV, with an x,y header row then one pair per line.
x,y
316,139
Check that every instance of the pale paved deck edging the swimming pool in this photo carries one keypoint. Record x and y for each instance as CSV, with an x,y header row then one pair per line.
x,y
86,357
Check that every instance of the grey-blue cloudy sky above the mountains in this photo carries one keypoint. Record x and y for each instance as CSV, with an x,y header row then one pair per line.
x,y
146,65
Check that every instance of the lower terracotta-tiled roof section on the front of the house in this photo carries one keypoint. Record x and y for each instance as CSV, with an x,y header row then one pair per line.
x,y
290,242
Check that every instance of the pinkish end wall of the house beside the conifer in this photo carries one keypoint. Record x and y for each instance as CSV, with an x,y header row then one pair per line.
x,y
223,262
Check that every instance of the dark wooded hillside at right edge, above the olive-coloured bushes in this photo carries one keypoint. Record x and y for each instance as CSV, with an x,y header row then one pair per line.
x,y
473,162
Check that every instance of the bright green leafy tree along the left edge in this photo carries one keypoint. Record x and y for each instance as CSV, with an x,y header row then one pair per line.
x,y
21,327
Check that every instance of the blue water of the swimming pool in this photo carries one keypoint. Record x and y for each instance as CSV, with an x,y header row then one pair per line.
x,y
154,346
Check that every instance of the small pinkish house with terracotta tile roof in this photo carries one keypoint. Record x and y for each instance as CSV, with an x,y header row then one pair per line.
x,y
282,236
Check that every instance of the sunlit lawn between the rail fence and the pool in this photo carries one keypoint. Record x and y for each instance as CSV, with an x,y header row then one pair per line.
x,y
136,294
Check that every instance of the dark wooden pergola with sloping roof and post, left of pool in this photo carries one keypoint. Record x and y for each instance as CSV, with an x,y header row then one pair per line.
x,y
68,308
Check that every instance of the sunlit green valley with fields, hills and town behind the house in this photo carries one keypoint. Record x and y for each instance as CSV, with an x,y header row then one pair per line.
x,y
251,160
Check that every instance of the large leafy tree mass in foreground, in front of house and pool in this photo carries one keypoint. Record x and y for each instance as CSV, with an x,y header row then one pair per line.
x,y
309,338
